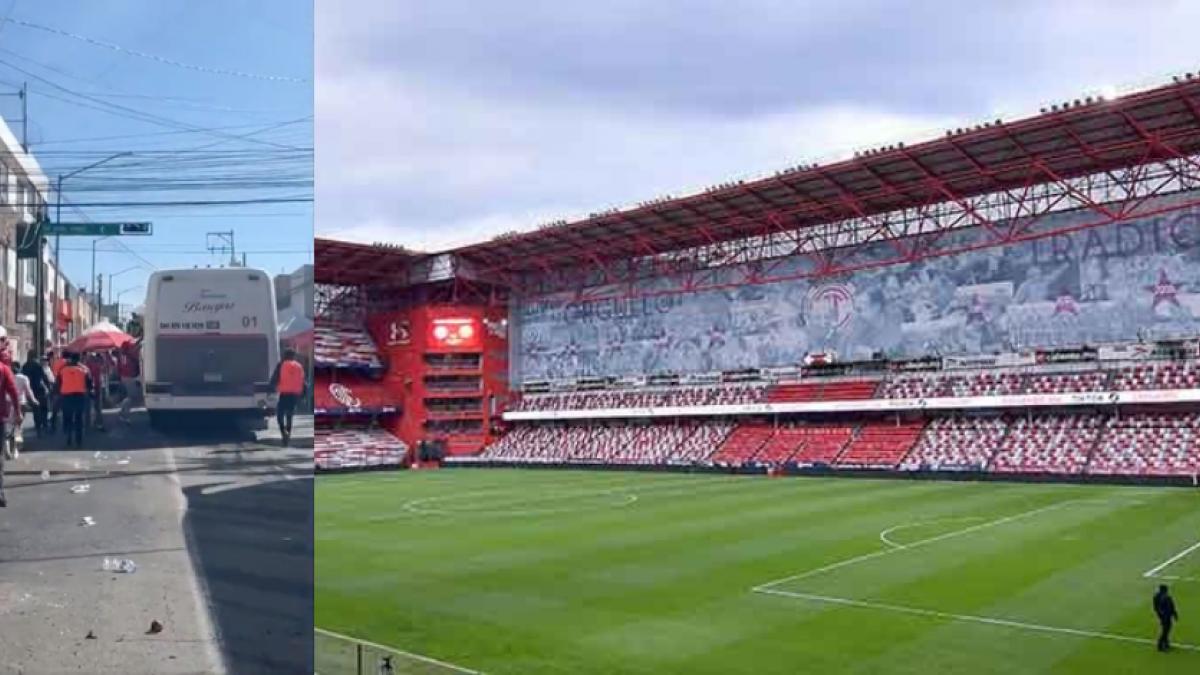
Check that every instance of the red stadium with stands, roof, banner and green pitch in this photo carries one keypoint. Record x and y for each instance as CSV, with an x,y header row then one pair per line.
x,y
937,407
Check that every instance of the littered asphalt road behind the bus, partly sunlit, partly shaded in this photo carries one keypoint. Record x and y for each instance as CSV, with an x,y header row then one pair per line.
x,y
220,530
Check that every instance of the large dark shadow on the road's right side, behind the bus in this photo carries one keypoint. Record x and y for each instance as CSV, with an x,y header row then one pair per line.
x,y
253,548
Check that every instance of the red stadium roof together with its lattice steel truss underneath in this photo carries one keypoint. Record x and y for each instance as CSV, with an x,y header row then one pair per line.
x,y
1003,178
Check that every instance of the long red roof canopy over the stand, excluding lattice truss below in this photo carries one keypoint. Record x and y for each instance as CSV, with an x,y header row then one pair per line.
x,y
1071,141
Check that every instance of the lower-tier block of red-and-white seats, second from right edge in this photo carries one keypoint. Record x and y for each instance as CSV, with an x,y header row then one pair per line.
x,y
1048,444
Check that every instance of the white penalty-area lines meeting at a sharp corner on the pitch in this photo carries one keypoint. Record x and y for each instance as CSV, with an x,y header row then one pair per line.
x,y
769,589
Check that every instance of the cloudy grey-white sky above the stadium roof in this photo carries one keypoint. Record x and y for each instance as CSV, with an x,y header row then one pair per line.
x,y
446,123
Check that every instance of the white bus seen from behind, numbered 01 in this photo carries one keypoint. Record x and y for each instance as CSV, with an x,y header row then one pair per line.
x,y
211,344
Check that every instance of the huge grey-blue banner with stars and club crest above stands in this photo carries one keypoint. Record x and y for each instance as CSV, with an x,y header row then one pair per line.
x,y
1093,286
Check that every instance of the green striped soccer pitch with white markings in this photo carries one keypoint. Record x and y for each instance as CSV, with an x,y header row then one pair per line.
x,y
571,572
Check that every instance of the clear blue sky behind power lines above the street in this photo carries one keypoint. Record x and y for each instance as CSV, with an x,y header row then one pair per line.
x,y
177,83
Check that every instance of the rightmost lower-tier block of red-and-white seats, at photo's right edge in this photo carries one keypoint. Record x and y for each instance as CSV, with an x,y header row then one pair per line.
x,y
1149,445
